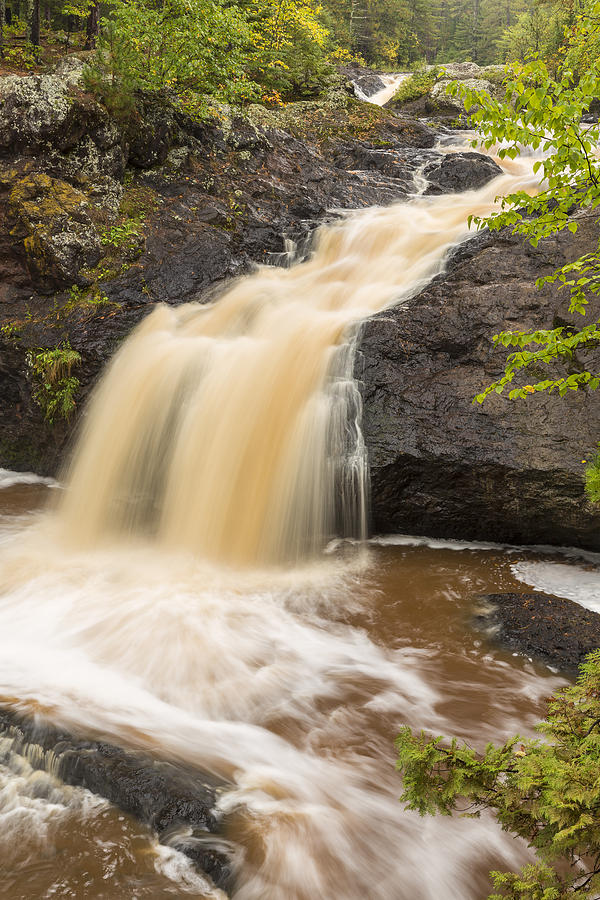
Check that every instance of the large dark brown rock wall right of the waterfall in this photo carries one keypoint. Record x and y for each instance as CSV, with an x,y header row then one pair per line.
x,y
507,470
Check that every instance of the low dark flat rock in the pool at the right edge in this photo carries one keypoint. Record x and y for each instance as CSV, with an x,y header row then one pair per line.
x,y
554,630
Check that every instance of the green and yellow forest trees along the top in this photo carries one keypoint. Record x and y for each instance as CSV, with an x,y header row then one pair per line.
x,y
277,49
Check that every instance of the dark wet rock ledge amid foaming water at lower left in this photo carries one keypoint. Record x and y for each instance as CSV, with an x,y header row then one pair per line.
x,y
163,796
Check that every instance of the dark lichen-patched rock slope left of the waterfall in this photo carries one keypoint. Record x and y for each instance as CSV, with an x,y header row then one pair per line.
x,y
217,196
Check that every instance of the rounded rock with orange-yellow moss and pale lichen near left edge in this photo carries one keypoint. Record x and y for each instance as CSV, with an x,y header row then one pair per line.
x,y
51,220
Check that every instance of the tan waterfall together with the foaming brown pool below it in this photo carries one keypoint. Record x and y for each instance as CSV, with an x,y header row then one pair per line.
x,y
184,596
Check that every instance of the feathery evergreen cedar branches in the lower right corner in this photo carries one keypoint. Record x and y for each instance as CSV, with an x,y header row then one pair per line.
x,y
547,792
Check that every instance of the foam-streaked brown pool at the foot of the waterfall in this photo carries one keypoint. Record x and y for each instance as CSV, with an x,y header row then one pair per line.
x,y
300,713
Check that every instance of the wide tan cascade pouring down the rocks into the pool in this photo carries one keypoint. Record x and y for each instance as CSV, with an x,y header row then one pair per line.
x,y
231,429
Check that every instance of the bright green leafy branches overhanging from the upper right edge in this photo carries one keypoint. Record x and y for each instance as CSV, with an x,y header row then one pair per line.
x,y
549,113
